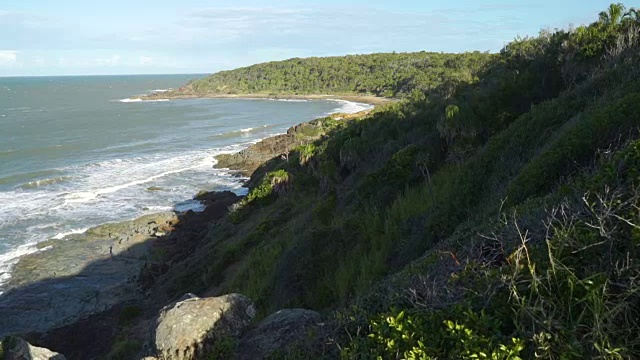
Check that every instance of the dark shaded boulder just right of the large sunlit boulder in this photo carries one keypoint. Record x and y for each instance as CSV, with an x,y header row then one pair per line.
x,y
281,331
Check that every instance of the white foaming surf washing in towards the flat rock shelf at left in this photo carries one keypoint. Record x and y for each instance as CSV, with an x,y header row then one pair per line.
x,y
110,191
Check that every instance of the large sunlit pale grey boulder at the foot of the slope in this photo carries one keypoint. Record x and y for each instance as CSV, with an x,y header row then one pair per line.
x,y
189,328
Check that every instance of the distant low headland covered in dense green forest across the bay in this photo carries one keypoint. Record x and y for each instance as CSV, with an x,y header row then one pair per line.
x,y
389,75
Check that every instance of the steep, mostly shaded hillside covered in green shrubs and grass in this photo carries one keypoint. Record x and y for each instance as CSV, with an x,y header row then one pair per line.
x,y
498,218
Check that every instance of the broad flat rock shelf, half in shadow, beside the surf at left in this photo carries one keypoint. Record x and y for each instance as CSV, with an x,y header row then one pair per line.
x,y
89,273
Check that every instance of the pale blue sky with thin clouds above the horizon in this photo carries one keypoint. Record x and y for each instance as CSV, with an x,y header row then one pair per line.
x,y
73,37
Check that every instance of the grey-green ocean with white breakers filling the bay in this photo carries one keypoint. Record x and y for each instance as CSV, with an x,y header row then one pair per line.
x,y
76,152
